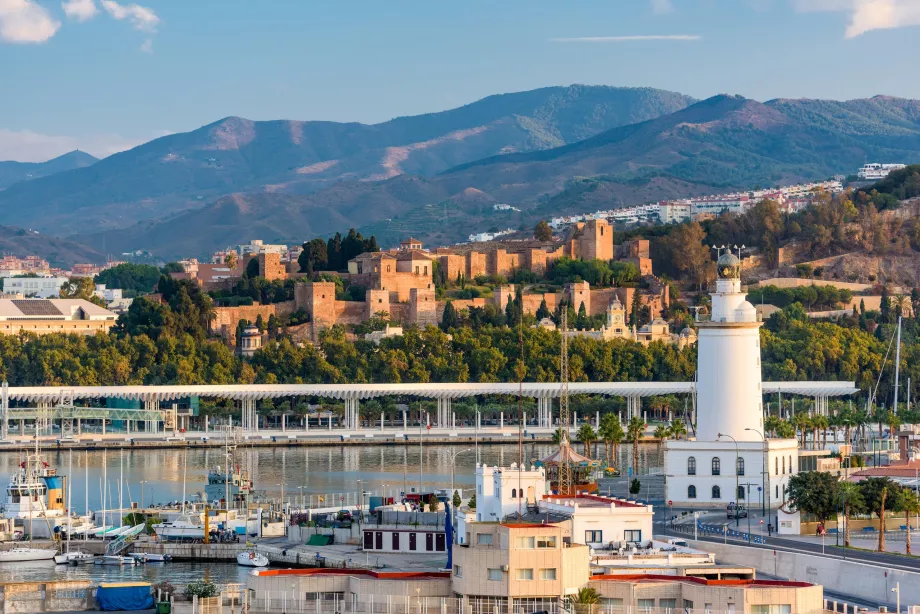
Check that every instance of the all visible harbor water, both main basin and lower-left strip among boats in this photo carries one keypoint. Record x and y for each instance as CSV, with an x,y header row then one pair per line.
x,y
304,473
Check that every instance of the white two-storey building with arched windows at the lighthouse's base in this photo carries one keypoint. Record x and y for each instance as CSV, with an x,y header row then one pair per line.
x,y
705,473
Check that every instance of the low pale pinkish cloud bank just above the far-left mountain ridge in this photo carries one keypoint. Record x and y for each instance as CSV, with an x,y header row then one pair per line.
x,y
29,146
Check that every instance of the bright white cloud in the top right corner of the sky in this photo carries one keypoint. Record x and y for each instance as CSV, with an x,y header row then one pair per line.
x,y
867,15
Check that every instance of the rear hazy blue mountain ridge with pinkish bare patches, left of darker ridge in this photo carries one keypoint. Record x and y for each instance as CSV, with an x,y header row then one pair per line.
x,y
185,171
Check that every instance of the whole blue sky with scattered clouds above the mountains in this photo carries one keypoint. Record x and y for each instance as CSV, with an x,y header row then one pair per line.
x,y
104,75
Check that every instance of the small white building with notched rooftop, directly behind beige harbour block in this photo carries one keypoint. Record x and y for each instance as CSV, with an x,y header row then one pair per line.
x,y
501,491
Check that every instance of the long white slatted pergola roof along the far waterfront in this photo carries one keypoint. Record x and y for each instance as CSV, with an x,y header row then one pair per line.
x,y
153,396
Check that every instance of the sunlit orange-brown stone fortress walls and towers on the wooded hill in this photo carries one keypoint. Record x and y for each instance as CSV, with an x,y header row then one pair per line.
x,y
400,283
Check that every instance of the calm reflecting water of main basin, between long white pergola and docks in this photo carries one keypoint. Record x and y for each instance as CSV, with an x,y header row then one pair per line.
x,y
308,469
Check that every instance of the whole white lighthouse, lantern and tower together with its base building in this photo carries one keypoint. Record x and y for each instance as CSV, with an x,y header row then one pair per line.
x,y
729,460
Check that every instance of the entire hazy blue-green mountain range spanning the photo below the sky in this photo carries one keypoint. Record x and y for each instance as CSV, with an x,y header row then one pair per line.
x,y
546,152
